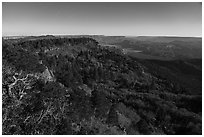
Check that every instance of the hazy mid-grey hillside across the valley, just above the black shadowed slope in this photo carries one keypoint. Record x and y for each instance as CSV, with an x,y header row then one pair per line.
x,y
165,50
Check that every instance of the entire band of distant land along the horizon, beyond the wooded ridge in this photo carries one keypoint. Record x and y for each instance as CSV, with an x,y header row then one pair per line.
x,y
156,47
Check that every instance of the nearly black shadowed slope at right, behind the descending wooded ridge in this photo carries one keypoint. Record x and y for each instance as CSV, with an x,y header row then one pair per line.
x,y
186,73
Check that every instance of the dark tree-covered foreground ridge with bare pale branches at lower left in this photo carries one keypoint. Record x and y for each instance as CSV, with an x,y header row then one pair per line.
x,y
75,86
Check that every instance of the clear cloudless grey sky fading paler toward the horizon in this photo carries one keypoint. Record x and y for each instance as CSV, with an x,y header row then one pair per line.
x,y
119,19
